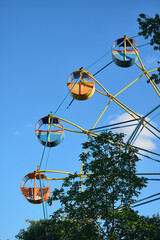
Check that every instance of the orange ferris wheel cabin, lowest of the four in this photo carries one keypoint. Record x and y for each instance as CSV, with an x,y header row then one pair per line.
x,y
30,190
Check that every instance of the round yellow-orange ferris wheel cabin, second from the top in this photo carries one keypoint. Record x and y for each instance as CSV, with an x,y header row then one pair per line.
x,y
81,84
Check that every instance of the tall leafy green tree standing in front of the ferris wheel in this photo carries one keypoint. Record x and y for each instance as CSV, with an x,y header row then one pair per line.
x,y
108,190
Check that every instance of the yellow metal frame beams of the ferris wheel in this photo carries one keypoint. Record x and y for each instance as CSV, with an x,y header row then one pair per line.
x,y
105,93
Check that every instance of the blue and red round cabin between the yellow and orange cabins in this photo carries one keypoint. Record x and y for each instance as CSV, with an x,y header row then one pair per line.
x,y
47,136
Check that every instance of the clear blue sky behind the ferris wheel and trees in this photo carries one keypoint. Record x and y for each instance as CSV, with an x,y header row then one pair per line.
x,y
41,43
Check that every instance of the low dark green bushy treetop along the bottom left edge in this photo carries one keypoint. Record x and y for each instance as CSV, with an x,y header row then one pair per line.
x,y
58,229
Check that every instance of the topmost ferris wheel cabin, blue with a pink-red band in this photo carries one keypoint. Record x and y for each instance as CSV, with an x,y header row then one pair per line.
x,y
123,53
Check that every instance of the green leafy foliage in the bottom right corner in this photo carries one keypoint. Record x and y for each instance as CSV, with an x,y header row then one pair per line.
x,y
130,225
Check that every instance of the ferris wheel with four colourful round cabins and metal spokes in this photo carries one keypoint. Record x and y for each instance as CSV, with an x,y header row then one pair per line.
x,y
50,130
